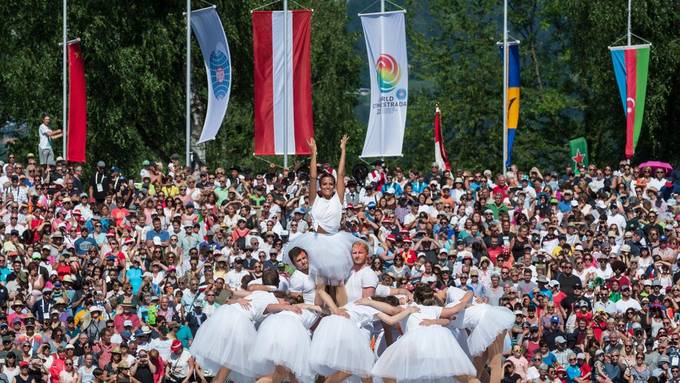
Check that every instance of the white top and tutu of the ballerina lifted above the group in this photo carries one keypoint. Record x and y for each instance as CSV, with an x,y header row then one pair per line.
x,y
330,255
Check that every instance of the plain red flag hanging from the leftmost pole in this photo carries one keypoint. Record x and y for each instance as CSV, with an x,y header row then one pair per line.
x,y
76,134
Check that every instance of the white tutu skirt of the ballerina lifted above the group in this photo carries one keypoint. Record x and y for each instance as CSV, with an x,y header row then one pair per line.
x,y
330,255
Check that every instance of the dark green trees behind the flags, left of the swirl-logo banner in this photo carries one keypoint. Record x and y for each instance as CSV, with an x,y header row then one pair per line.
x,y
134,55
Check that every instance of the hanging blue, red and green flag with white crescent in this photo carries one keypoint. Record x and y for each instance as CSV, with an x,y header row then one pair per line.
x,y
631,67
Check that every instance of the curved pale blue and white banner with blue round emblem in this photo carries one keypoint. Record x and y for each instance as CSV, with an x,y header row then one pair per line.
x,y
208,29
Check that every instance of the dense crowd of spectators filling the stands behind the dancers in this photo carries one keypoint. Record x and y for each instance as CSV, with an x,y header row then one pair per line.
x,y
106,279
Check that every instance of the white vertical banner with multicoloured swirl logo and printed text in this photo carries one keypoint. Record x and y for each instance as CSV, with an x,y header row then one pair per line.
x,y
385,36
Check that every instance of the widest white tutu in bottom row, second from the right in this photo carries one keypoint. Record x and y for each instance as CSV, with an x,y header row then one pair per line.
x,y
424,354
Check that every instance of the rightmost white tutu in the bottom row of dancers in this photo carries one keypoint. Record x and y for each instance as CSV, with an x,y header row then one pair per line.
x,y
486,322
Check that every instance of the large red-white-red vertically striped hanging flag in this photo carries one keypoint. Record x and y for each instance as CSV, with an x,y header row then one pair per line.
x,y
271,66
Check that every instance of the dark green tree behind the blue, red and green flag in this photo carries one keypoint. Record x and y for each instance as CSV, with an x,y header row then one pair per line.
x,y
592,27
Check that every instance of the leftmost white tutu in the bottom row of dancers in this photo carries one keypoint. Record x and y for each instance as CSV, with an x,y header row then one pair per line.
x,y
225,340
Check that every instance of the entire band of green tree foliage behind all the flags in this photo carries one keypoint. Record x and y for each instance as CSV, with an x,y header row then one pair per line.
x,y
135,64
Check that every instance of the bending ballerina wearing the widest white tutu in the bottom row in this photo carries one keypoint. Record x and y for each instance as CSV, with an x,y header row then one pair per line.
x,y
426,353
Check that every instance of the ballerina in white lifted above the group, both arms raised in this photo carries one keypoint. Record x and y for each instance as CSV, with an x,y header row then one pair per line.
x,y
328,249
